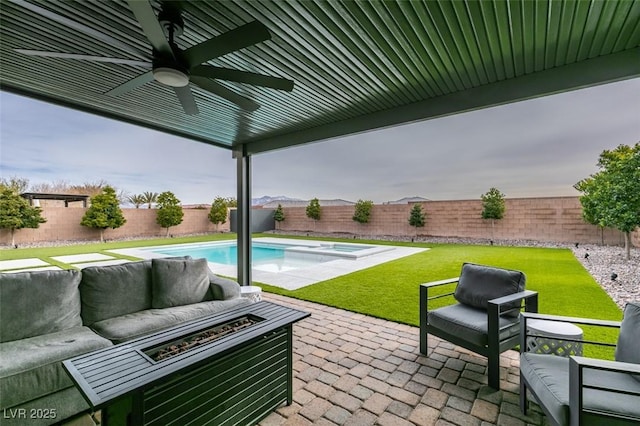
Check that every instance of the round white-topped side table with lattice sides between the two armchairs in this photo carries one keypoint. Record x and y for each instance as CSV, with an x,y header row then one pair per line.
x,y
550,338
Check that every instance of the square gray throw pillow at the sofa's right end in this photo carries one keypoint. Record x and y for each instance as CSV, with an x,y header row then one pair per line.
x,y
179,282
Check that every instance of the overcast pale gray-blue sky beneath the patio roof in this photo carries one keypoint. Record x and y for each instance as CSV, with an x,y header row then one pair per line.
x,y
528,149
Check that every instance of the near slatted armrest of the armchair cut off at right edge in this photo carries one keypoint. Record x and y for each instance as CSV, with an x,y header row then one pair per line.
x,y
577,385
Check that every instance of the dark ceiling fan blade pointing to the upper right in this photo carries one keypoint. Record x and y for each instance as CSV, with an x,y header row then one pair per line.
x,y
236,39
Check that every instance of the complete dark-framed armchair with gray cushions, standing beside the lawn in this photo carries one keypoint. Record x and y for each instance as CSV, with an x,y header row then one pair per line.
x,y
484,319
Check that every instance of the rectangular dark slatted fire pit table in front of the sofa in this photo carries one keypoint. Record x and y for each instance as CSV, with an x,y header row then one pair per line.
x,y
234,367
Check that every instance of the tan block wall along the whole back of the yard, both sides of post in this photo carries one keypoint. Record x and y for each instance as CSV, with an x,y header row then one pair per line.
x,y
550,219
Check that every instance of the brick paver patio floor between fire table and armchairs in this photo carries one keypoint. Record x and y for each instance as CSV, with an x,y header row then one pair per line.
x,y
351,369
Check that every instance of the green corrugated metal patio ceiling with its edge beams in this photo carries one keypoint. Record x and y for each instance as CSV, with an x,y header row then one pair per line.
x,y
356,65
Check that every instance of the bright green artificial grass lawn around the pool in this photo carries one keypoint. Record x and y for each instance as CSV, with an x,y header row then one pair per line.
x,y
390,290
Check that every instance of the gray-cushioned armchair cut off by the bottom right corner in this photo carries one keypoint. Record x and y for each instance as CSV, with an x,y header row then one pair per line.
x,y
585,391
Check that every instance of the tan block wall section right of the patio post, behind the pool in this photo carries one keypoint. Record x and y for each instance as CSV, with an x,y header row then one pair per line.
x,y
551,219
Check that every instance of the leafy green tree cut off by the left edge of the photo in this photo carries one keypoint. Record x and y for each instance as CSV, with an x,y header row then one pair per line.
x,y
16,213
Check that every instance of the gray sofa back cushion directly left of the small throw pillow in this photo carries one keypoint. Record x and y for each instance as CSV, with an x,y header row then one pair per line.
x,y
111,291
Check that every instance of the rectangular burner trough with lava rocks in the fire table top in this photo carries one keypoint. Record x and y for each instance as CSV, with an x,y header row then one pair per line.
x,y
170,349
